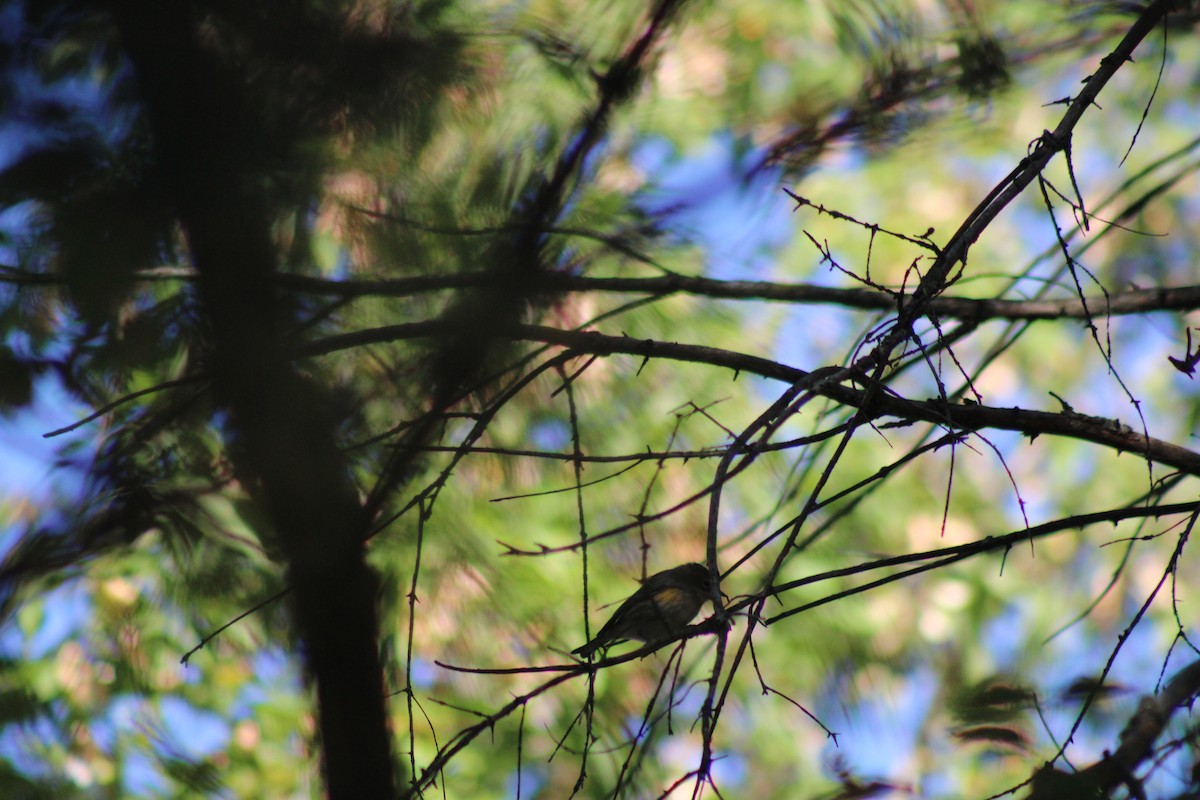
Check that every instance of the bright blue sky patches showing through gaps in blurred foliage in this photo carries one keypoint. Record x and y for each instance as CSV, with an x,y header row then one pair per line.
x,y
739,219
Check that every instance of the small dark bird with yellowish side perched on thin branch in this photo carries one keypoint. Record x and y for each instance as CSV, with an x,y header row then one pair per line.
x,y
664,605
